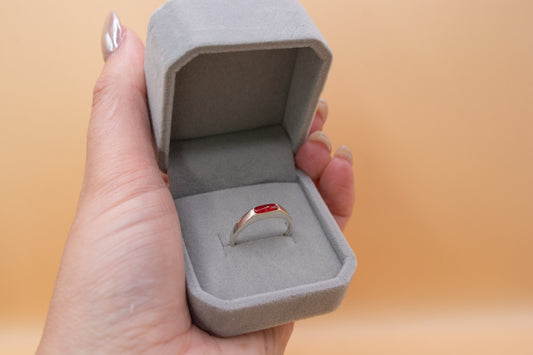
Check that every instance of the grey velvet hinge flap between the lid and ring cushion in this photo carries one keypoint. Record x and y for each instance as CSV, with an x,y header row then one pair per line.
x,y
230,160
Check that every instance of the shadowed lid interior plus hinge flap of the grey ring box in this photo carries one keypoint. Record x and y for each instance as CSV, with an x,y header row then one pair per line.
x,y
238,116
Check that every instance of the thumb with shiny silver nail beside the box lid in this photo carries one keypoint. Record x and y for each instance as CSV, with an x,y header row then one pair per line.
x,y
119,141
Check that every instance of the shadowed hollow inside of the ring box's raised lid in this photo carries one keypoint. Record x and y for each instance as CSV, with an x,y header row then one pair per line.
x,y
217,93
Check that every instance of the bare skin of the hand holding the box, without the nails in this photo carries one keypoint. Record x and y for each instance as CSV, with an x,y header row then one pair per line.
x,y
121,283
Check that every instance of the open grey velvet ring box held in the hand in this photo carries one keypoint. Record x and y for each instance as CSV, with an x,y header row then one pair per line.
x,y
232,89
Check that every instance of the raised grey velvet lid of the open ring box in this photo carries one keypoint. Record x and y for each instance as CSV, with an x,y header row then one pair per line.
x,y
259,64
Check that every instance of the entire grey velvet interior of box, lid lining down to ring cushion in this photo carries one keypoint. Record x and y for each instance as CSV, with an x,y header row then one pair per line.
x,y
236,116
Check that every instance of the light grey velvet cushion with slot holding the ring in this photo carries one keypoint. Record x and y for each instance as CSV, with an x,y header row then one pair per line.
x,y
263,260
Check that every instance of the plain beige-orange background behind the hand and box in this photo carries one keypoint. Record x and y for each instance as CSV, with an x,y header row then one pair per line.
x,y
433,97
